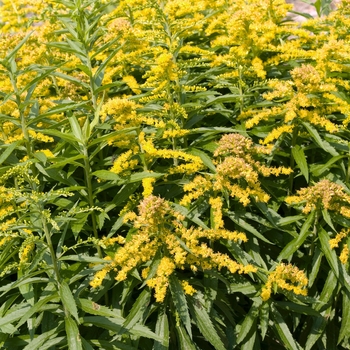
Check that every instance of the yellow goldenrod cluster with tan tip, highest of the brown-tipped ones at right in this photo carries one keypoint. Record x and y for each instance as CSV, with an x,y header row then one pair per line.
x,y
299,100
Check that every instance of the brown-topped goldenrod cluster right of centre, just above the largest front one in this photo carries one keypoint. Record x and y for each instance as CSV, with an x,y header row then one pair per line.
x,y
237,172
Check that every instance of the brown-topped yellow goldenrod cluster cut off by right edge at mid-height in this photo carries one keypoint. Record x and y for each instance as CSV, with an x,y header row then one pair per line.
x,y
323,195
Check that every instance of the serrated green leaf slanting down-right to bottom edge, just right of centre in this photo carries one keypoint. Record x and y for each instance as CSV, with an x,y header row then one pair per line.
x,y
204,323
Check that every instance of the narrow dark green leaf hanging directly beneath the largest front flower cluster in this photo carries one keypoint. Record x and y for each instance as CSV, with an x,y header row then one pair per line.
x,y
180,302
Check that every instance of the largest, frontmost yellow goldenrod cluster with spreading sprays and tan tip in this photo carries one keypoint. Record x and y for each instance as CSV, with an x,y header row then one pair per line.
x,y
160,229
